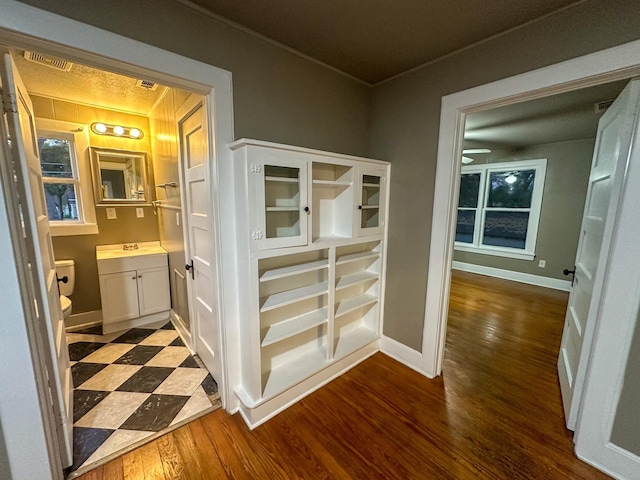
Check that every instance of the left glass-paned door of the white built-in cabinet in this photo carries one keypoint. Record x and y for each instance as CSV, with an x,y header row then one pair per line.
x,y
281,203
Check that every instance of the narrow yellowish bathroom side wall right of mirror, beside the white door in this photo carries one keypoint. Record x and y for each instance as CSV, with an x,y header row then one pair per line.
x,y
164,142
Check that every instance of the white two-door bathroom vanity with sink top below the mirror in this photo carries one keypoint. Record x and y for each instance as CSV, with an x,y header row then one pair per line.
x,y
134,285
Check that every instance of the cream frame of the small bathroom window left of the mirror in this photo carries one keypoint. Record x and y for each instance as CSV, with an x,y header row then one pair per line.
x,y
77,135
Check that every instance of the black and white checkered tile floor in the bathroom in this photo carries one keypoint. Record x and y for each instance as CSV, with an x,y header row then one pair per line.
x,y
130,385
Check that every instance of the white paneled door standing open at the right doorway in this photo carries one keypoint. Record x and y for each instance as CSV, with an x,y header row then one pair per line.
x,y
613,142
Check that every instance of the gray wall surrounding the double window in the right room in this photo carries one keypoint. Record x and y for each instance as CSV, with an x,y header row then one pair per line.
x,y
565,189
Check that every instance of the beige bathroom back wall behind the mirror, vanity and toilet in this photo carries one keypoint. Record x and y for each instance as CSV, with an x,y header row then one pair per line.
x,y
126,228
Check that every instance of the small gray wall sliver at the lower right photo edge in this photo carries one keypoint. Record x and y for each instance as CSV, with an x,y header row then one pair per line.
x,y
627,420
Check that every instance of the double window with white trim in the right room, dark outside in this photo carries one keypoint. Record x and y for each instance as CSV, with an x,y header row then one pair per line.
x,y
499,208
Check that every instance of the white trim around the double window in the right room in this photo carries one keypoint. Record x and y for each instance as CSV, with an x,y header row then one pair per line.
x,y
528,253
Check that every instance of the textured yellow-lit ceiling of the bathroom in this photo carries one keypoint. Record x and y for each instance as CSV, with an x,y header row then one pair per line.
x,y
87,85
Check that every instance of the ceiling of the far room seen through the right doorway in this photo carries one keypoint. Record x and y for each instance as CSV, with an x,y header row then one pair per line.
x,y
558,118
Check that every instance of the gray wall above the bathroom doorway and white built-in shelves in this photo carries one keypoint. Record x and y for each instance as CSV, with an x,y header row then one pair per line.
x,y
277,96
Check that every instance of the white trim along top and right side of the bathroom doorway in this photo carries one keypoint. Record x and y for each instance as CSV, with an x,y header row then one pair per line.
x,y
27,27
